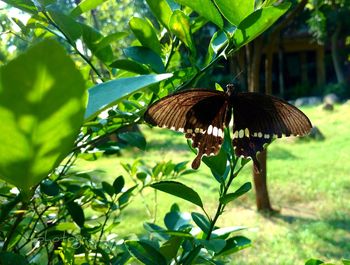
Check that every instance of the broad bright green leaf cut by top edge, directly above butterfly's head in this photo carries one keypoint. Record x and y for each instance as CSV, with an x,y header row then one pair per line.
x,y
235,11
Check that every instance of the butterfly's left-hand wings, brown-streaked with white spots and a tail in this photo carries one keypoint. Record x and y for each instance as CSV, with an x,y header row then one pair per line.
x,y
201,114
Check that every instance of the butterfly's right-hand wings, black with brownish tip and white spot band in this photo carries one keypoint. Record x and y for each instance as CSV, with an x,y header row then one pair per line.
x,y
258,118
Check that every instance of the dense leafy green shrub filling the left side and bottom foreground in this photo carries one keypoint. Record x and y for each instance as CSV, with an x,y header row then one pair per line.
x,y
57,213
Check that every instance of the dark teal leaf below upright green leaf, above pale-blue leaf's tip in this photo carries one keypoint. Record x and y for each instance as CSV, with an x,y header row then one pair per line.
x,y
145,56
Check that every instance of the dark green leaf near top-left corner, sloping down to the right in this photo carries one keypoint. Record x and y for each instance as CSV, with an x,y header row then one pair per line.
x,y
71,28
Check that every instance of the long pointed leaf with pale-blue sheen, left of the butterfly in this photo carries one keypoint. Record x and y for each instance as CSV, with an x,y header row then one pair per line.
x,y
109,93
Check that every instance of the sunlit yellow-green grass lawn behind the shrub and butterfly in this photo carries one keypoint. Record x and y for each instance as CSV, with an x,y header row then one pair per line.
x,y
309,183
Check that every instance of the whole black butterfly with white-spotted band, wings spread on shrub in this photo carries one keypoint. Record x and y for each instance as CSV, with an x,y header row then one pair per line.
x,y
202,115
